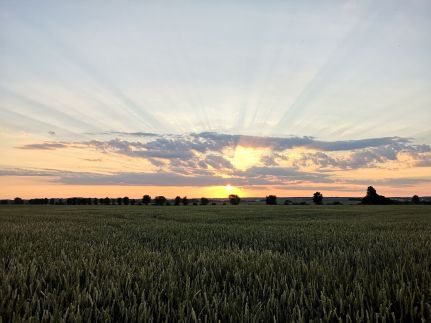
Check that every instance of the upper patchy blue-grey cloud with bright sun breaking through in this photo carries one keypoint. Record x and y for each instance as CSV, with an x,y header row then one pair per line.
x,y
188,153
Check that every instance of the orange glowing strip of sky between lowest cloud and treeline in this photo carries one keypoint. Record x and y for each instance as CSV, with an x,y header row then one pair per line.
x,y
33,187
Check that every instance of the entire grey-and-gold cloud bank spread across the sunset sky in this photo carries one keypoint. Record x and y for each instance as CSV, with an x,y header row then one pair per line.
x,y
210,158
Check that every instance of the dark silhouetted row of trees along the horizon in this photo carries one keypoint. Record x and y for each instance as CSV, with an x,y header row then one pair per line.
x,y
371,198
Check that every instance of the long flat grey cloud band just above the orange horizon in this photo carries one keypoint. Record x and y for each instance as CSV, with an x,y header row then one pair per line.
x,y
276,177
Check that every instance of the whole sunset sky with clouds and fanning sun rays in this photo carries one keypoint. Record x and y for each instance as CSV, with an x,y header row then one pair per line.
x,y
209,98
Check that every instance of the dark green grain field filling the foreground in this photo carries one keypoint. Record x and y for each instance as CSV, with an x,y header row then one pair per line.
x,y
210,263
